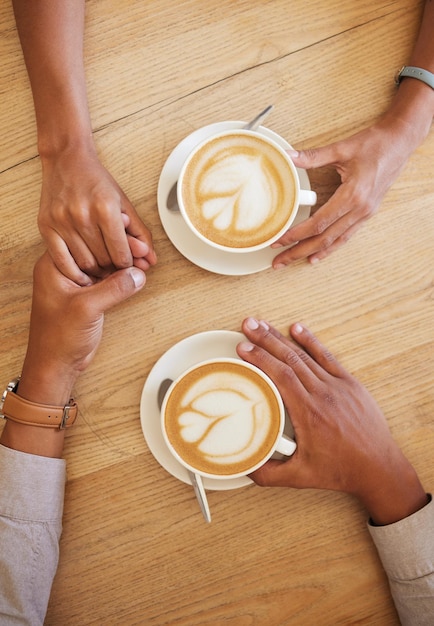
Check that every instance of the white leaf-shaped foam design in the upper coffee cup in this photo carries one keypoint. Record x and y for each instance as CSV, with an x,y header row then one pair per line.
x,y
238,192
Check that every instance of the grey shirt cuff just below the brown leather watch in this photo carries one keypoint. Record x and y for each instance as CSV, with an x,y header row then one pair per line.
x,y
32,487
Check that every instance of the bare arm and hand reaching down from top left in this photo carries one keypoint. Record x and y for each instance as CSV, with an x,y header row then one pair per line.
x,y
88,223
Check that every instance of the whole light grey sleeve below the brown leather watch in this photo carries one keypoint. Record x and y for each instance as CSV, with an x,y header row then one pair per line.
x,y
31,506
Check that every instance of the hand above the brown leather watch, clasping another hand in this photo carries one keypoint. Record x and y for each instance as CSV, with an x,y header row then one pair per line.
x,y
66,326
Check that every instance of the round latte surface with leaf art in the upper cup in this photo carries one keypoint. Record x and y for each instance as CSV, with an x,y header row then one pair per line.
x,y
238,190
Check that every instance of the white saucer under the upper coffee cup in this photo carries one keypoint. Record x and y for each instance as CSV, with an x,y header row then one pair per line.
x,y
190,246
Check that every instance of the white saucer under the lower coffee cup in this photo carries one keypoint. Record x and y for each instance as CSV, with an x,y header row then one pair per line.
x,y
188,352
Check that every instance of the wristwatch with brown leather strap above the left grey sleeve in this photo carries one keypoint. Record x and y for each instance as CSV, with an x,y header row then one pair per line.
x,y
18,409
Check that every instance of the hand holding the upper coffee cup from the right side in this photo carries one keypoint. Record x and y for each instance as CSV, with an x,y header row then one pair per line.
x,y
367,163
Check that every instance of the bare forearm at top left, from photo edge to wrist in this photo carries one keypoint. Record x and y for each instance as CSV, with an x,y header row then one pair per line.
x,y
51,35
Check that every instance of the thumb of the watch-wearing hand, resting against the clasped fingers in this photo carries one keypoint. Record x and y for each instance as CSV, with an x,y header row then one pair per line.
x,y
116,288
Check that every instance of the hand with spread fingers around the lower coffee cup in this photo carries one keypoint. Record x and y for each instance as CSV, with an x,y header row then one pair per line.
x,y
343,441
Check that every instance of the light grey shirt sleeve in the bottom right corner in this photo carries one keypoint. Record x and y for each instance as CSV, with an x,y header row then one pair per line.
x,y
406,550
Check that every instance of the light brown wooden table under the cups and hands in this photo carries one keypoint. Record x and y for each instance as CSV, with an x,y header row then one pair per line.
x,y
135,549
